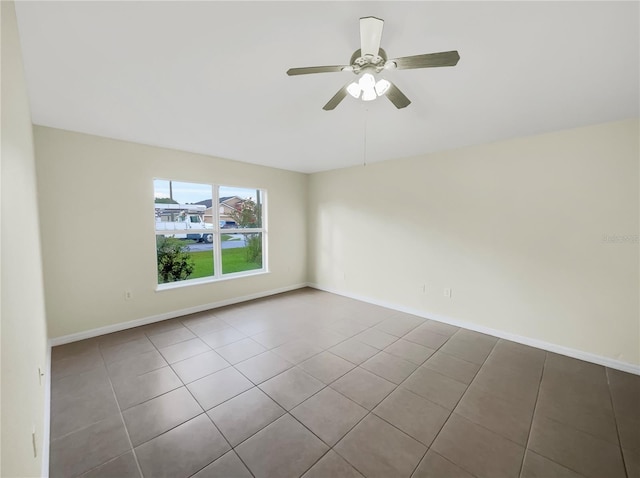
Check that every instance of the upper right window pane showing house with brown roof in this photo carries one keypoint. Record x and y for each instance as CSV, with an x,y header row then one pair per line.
x,y
240,207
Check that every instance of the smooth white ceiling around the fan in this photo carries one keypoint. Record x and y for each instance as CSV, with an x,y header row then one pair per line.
x,y
209,77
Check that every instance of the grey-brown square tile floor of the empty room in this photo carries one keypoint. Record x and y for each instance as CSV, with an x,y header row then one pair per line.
x,y
317,385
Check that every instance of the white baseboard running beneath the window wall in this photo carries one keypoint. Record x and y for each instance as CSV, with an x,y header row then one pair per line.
x,y
108,329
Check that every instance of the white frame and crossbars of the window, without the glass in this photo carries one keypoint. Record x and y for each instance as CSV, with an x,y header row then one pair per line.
x,y
217,232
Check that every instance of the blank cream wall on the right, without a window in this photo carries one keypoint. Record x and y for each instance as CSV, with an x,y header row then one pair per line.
x,y
514,228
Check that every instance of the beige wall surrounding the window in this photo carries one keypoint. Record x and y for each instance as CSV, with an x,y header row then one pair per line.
x,y
96,200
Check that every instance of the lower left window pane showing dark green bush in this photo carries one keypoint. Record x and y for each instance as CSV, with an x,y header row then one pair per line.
x,y
182,259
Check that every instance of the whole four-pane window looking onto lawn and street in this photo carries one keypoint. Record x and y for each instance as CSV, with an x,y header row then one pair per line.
x,y
207,232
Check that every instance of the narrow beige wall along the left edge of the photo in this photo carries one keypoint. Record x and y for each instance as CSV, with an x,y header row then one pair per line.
x,y
24,332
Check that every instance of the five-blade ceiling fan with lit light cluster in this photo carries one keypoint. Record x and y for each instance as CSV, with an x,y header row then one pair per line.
x,y
370,60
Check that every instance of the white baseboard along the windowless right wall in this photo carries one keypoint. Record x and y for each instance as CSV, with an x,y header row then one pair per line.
x,y
550,347
